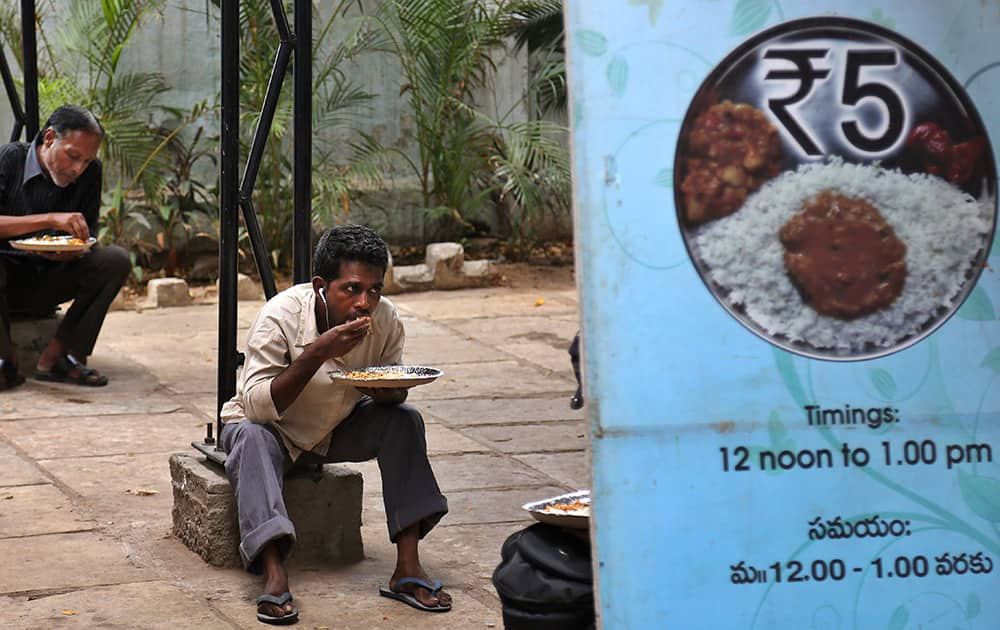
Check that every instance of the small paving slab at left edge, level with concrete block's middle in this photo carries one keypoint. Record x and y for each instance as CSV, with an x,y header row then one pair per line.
x,y
41,509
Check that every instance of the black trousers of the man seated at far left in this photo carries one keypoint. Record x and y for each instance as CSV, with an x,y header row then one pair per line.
x,y
35,286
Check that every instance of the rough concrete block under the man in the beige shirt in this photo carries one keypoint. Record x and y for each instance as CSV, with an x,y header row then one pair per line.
x,y
324,505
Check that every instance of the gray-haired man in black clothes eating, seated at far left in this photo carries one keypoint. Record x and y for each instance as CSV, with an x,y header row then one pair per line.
x,y
53,186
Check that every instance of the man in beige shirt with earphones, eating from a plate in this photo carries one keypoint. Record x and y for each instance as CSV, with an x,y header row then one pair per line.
x,y
287,410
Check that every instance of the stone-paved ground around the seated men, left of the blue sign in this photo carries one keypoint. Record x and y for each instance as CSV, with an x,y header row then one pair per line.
x,y
84,546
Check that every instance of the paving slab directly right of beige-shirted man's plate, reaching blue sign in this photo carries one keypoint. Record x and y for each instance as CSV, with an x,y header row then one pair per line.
x,y
495,379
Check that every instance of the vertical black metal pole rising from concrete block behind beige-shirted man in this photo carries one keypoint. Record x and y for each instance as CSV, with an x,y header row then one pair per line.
x,y
229,202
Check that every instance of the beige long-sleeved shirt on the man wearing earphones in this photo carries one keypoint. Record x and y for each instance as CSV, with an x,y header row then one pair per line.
x,y
285,326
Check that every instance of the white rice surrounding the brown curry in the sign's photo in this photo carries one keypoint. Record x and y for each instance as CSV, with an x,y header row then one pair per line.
x,y
944,230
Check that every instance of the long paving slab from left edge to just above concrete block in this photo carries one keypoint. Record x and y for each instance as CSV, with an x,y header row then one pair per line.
x,y
48,438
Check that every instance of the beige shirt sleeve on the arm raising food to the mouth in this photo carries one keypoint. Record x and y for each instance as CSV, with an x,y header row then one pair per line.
x,y
266,357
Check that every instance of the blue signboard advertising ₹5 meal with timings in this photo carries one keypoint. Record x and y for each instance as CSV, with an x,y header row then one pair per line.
x,y
786,219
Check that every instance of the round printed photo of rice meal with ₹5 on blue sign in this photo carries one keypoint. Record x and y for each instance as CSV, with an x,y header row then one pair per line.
x,y
835,188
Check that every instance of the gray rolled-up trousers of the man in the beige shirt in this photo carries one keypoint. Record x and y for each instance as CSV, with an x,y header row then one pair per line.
x,y
392,434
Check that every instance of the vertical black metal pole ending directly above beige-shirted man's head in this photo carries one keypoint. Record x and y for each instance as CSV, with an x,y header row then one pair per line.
x,y
302,197
